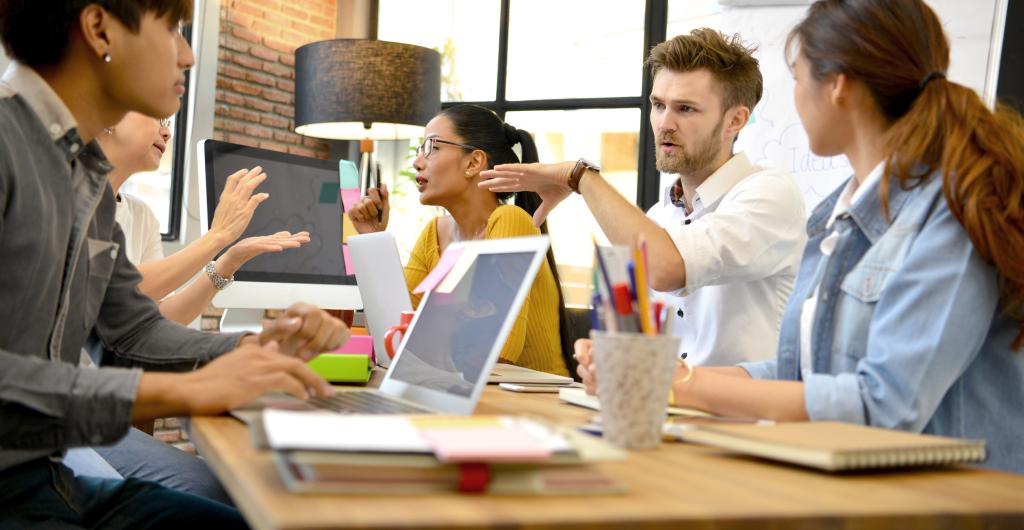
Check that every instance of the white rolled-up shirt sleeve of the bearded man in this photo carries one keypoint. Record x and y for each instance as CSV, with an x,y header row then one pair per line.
x,y
753,235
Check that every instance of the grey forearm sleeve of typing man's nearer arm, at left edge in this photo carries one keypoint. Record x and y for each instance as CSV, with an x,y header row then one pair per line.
x,y
52,406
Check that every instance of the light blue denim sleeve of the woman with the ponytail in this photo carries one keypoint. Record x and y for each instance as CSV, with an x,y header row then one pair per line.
x,y
930,323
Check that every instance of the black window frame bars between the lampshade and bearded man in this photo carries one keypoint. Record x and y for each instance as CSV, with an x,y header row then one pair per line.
x,y
656,24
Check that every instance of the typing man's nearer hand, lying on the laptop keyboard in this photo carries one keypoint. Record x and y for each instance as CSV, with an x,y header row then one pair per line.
x,y
244,375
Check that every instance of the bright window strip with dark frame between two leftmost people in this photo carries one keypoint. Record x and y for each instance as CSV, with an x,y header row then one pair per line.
x,y
162,190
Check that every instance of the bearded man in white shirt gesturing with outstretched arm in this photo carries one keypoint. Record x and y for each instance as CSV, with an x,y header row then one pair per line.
x,y
726,241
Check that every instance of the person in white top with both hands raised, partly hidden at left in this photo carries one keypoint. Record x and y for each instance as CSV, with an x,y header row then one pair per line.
x,y
137,145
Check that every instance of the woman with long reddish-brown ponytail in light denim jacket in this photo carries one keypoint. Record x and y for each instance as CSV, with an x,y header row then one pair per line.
x,y
908,313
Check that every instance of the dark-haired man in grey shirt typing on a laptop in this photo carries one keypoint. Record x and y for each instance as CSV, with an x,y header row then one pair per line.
x,y
78,68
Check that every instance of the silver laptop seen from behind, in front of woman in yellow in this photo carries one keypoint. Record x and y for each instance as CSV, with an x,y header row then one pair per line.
x,y
382,285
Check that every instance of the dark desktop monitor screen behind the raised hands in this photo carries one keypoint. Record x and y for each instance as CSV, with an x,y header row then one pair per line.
x,y
305,196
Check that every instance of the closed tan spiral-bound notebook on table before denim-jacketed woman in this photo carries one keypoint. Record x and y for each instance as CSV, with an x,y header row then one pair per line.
x,y
838,447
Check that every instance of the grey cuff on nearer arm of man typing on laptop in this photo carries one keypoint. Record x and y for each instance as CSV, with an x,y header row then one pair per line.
x,y
103,400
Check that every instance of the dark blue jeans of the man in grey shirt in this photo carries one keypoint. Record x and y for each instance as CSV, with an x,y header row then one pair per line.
x,y
44,494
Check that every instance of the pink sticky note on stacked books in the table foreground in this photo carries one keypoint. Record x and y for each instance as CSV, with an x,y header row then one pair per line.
x,y
489,445
